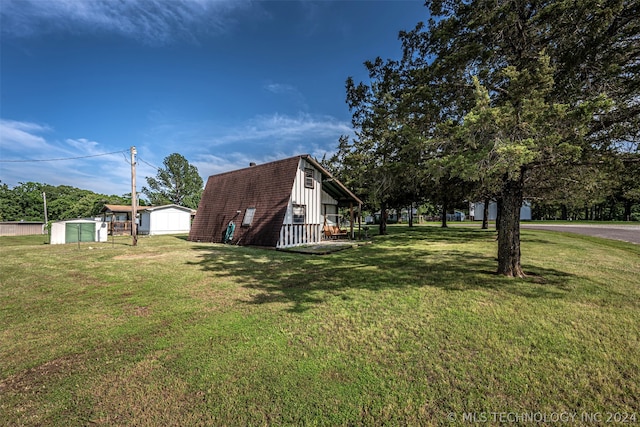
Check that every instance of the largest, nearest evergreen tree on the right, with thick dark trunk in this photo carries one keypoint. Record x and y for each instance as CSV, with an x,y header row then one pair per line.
x,y
525,85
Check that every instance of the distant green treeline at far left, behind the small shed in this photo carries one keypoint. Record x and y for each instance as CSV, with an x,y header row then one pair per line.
x,y
25,202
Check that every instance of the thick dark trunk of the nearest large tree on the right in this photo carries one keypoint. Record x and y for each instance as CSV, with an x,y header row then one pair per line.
x,y
509,229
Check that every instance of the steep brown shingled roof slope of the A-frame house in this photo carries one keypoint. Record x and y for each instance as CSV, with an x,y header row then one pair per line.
x,y
266,187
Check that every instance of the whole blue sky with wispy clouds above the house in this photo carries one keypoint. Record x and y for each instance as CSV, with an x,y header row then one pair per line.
x,y
222,82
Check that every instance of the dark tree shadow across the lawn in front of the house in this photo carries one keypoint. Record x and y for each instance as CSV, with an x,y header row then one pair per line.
x,y
403,259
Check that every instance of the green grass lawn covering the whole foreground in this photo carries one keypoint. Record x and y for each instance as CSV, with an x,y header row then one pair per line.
x,y
413,329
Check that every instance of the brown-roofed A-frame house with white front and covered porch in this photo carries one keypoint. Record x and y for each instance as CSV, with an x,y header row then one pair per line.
x,y
279,204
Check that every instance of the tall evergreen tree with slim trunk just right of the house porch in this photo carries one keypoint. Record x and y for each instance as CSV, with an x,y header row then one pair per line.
x,y
384,160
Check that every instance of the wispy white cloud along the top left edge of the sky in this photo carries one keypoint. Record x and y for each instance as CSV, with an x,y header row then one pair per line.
x,y
153,21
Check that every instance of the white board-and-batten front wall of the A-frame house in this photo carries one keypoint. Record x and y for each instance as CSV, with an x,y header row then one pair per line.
x,y
295,233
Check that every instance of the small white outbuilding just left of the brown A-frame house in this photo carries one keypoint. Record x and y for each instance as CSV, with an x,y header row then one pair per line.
x,y
168,219
